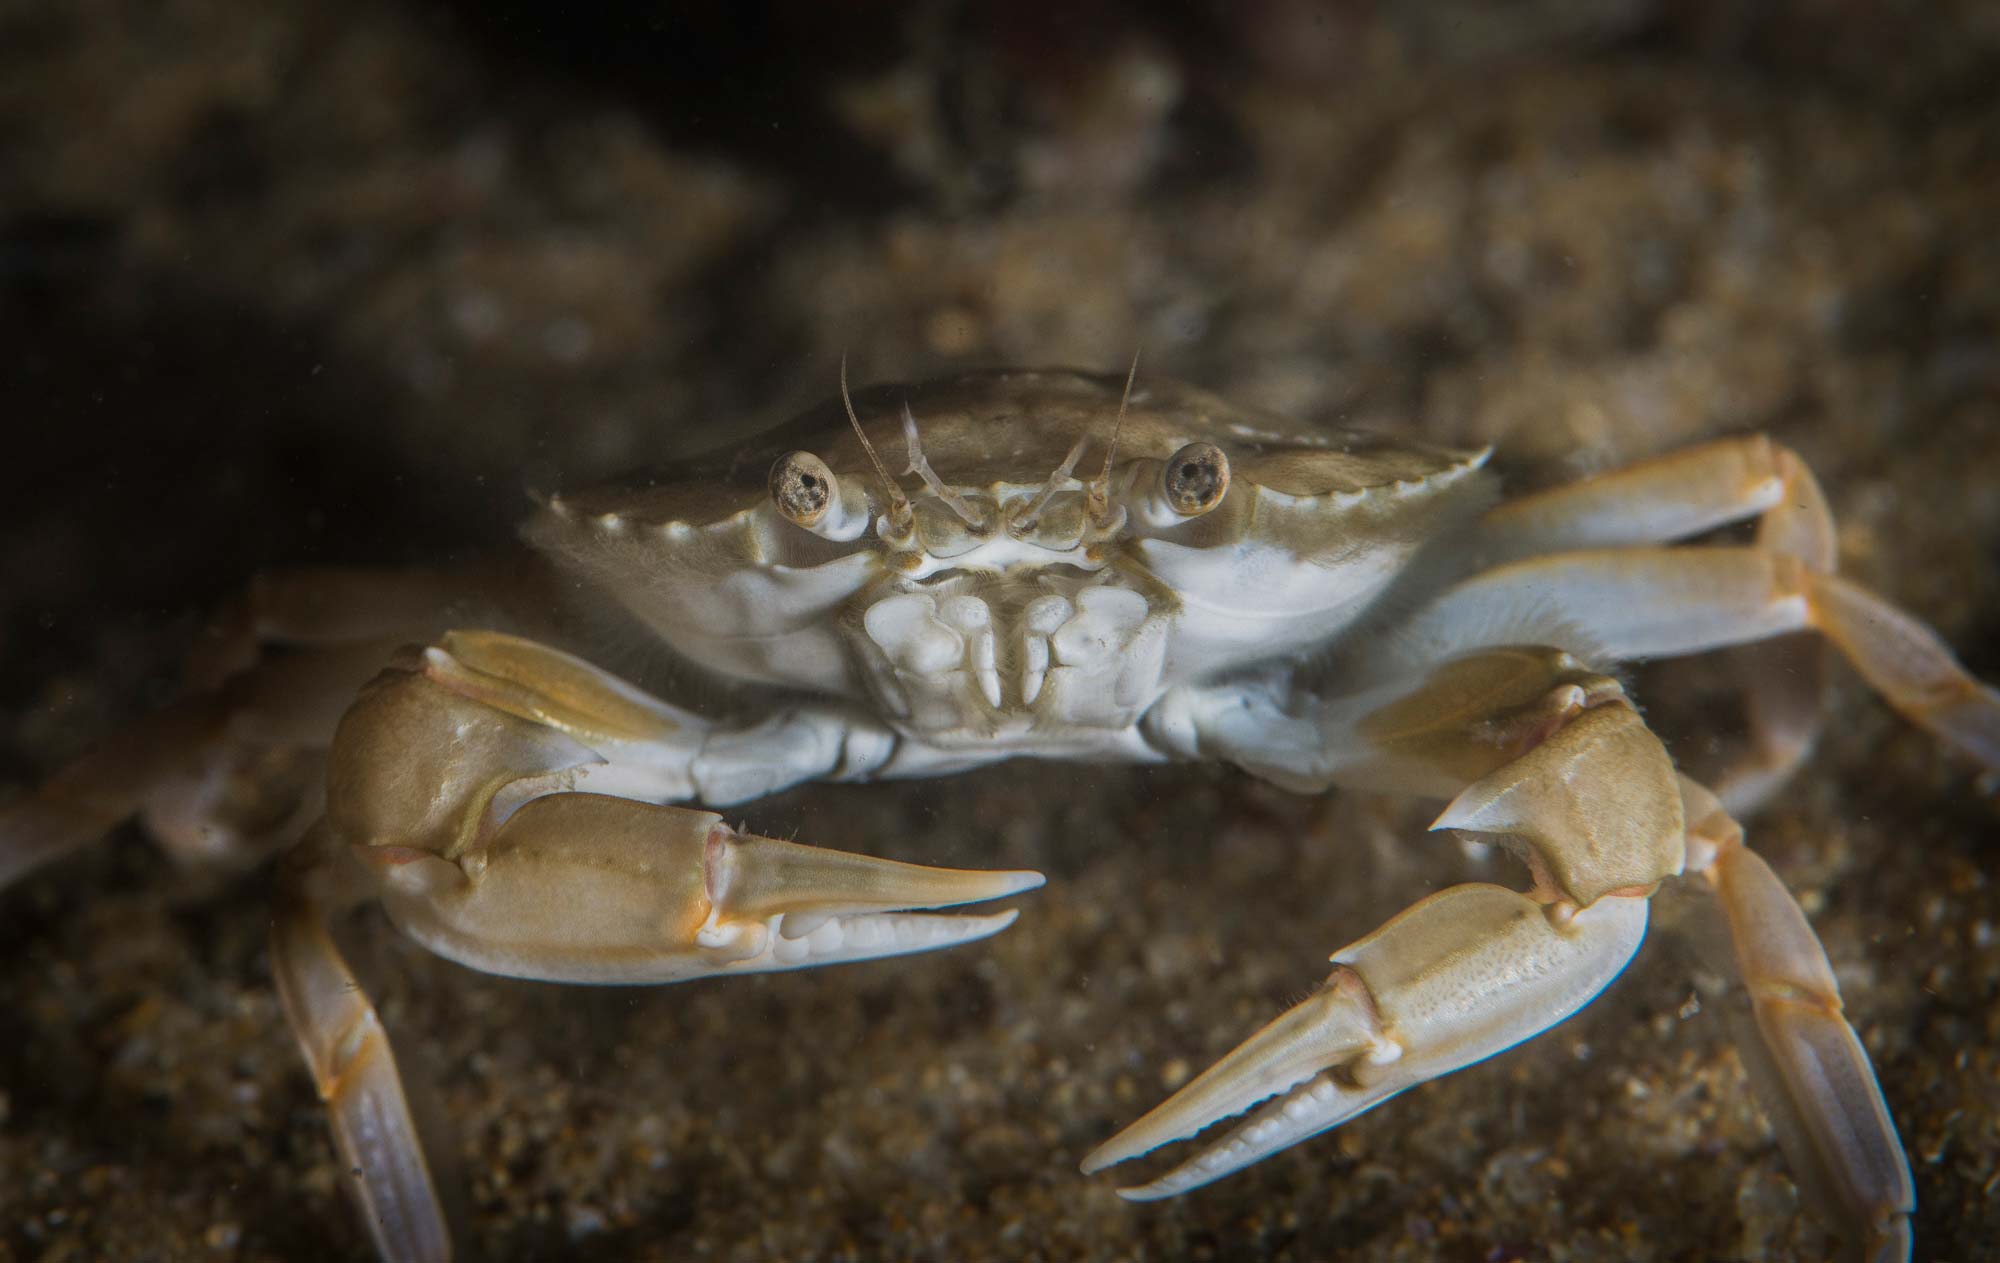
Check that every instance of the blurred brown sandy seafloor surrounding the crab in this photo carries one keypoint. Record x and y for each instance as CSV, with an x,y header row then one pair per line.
x,y
327,283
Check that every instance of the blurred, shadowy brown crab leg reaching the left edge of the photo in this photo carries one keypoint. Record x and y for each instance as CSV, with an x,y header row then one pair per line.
x,y
219,774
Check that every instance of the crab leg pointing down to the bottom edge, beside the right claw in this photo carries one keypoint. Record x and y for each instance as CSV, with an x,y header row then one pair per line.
x,y
1805,1060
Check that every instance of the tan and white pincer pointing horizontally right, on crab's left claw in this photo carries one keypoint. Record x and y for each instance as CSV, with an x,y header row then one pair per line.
x,y
603,890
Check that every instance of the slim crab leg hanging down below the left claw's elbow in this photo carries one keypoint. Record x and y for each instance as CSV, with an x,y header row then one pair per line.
x,y
351,1062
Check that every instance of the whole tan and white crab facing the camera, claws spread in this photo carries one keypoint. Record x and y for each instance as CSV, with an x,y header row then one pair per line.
x,y
1319,609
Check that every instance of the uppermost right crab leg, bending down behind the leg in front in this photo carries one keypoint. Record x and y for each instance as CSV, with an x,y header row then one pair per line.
x,y
1685,495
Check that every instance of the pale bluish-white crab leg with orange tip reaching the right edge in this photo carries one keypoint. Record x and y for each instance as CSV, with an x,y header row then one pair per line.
x,y
1659,603
